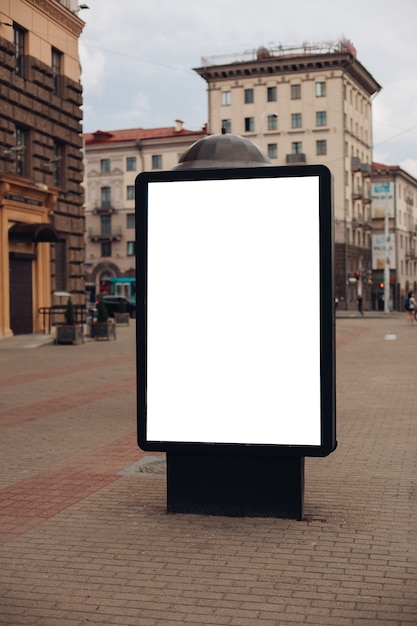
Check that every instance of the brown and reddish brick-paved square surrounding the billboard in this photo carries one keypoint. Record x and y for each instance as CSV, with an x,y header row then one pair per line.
x,y
84,533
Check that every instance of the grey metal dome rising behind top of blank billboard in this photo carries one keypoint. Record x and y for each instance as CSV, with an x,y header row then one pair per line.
x,y
217,151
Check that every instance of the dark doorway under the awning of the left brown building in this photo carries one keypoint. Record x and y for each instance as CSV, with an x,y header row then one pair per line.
x,y
21,315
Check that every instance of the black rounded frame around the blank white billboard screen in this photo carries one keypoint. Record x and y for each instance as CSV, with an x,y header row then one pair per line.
x,y
327,312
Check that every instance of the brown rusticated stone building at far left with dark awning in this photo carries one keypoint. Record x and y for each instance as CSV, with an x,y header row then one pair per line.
x,y
41,197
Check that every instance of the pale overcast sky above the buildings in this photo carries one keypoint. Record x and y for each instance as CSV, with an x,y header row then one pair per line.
x,y
137,58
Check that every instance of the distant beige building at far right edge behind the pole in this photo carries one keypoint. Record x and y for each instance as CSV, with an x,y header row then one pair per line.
x,y
394,234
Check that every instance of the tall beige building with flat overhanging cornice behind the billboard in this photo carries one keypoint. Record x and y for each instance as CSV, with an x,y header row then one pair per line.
x,y
308,105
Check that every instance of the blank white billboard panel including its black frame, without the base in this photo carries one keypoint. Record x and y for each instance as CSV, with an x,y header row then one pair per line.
x,y
229,353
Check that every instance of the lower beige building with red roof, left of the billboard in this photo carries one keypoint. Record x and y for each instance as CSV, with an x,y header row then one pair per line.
x,y
113,159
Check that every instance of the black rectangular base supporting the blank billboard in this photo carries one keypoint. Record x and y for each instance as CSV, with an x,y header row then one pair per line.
x,y
235,485
